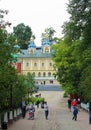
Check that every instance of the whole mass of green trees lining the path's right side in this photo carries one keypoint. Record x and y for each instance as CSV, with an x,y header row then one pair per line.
x,y
72,55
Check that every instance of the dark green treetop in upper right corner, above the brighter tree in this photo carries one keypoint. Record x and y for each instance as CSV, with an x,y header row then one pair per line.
x,y
79,23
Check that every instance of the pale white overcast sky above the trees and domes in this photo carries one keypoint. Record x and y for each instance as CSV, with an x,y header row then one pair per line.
x,y
37,14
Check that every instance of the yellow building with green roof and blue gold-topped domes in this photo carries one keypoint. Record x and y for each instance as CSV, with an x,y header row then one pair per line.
x,y
38,61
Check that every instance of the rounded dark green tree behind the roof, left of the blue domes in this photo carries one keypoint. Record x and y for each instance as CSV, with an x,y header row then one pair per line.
x,y
22,33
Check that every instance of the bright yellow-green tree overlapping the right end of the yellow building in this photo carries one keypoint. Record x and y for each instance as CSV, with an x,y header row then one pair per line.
x,y
66,63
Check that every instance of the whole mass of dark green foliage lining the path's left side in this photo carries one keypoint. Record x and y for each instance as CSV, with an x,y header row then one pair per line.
x,y
12,85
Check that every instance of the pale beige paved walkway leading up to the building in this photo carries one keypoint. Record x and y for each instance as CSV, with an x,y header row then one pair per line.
x,y
59,116
